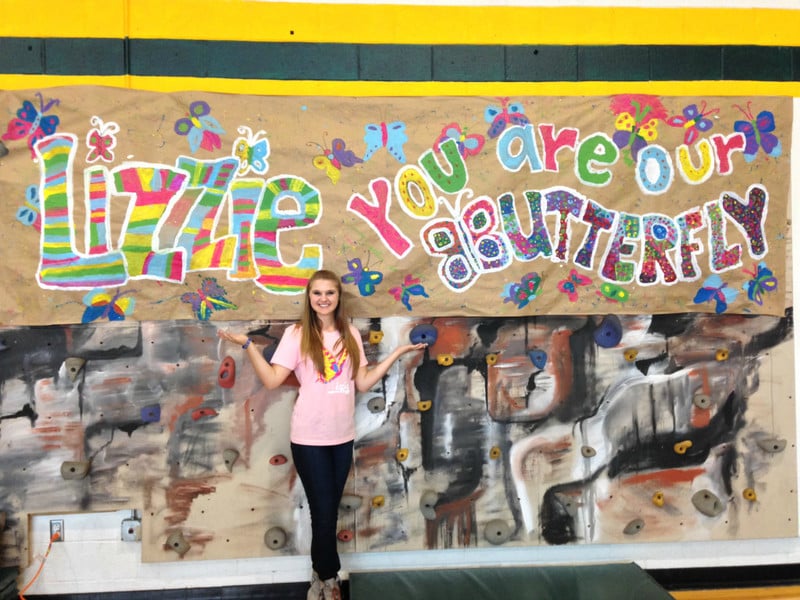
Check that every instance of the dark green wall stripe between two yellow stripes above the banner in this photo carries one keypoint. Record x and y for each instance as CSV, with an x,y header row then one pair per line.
x,y
394,62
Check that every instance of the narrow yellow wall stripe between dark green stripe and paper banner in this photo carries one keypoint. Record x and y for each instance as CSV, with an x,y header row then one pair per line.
x,y
422,88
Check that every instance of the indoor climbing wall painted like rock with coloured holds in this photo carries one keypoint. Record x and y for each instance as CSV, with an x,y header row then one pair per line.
x,y
515,431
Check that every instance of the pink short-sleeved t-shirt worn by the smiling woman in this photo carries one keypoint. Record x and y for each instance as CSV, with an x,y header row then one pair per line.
x,y
324,413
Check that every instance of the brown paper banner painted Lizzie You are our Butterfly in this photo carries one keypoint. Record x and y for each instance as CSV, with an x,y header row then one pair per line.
x,y
125,204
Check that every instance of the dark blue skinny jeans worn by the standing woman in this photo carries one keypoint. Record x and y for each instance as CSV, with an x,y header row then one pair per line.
x,y
323,470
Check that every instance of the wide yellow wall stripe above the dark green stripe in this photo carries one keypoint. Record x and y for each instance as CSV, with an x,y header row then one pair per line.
x,y
244,20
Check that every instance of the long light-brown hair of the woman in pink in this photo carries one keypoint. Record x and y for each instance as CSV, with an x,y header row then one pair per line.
x,y
311,338
